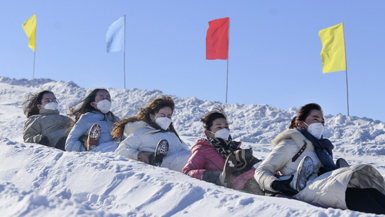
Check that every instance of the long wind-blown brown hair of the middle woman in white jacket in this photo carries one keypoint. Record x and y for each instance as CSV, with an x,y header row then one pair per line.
x,y
144,115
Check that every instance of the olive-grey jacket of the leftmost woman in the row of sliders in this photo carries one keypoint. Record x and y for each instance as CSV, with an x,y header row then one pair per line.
x,y
48,123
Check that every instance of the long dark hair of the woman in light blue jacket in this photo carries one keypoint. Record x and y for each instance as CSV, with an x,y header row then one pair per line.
x,y
86,107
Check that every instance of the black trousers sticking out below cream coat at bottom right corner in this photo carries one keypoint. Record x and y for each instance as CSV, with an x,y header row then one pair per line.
x,y
367,200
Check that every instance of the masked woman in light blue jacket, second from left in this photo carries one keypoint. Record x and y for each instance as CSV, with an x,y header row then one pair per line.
x,y
93,124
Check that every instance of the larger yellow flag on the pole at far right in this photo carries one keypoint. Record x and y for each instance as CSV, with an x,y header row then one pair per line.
x,y
333,49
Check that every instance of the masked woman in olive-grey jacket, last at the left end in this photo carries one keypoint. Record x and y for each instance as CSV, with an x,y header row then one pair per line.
x,y
45,125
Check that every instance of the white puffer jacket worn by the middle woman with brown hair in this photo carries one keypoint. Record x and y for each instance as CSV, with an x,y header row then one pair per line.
x,y
142,137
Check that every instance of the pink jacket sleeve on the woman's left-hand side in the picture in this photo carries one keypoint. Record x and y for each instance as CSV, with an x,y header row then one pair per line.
x,y
195,166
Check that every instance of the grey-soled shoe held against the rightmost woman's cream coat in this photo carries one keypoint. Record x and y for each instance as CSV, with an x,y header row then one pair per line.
x,y
304,170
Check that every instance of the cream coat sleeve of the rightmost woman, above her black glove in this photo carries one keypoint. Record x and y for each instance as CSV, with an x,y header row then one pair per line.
x,y
274,162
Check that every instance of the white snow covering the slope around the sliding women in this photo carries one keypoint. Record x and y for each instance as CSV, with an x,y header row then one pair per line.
x,y
40,181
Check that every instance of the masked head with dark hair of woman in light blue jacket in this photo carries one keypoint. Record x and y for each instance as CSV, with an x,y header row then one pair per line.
x,y
98,100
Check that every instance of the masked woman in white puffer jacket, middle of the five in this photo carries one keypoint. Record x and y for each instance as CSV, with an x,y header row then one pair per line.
x,y
151,136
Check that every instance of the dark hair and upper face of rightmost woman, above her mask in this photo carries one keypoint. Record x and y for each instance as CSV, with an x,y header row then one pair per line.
x,y
308,114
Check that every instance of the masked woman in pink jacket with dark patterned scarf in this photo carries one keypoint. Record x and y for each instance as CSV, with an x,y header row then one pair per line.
x,y
220,160
